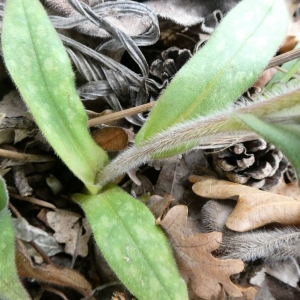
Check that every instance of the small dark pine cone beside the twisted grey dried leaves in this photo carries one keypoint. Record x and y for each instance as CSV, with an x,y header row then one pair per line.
x,y
171,61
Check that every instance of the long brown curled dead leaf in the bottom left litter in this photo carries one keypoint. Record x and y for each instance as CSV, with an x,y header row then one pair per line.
x,y
53,275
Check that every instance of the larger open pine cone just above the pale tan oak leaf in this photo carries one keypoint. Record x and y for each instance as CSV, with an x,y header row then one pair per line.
x,y
254,163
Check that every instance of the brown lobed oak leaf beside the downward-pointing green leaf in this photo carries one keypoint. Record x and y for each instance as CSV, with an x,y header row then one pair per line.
x,y
202,272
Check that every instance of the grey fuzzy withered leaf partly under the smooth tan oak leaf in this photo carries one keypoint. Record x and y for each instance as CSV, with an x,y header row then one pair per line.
x,y
278,243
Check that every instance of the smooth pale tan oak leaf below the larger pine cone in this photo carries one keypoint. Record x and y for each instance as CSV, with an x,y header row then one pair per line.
x,y
255,208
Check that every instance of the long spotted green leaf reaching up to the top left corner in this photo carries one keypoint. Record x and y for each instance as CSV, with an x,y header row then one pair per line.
x,y
39,65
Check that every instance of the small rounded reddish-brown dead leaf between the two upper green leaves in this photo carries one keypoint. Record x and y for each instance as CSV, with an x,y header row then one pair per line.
x,y
111,138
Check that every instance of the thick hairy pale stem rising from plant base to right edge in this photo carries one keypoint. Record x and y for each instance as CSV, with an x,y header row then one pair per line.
x,y
280,105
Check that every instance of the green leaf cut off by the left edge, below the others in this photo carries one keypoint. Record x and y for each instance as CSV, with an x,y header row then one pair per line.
x,y
10,286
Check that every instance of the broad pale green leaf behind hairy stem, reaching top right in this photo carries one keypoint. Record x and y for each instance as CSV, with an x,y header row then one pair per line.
x,y
235,55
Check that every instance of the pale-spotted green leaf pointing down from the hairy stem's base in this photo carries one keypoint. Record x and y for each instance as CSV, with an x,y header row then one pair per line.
x,y
135,248
